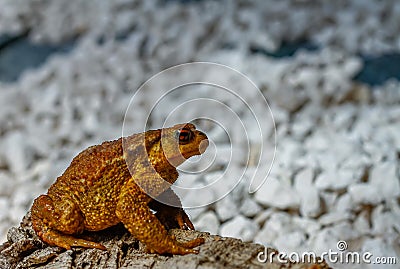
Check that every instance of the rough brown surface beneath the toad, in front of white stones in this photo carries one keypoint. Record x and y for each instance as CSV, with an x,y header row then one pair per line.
x,y
24,250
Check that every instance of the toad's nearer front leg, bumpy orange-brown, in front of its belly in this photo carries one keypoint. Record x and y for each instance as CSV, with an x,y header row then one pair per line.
x,y
135,214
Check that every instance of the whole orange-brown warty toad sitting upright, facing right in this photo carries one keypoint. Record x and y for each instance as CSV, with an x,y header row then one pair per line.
x,y
116,182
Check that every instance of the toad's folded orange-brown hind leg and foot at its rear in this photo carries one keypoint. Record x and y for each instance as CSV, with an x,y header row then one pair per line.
x,y
55,225
